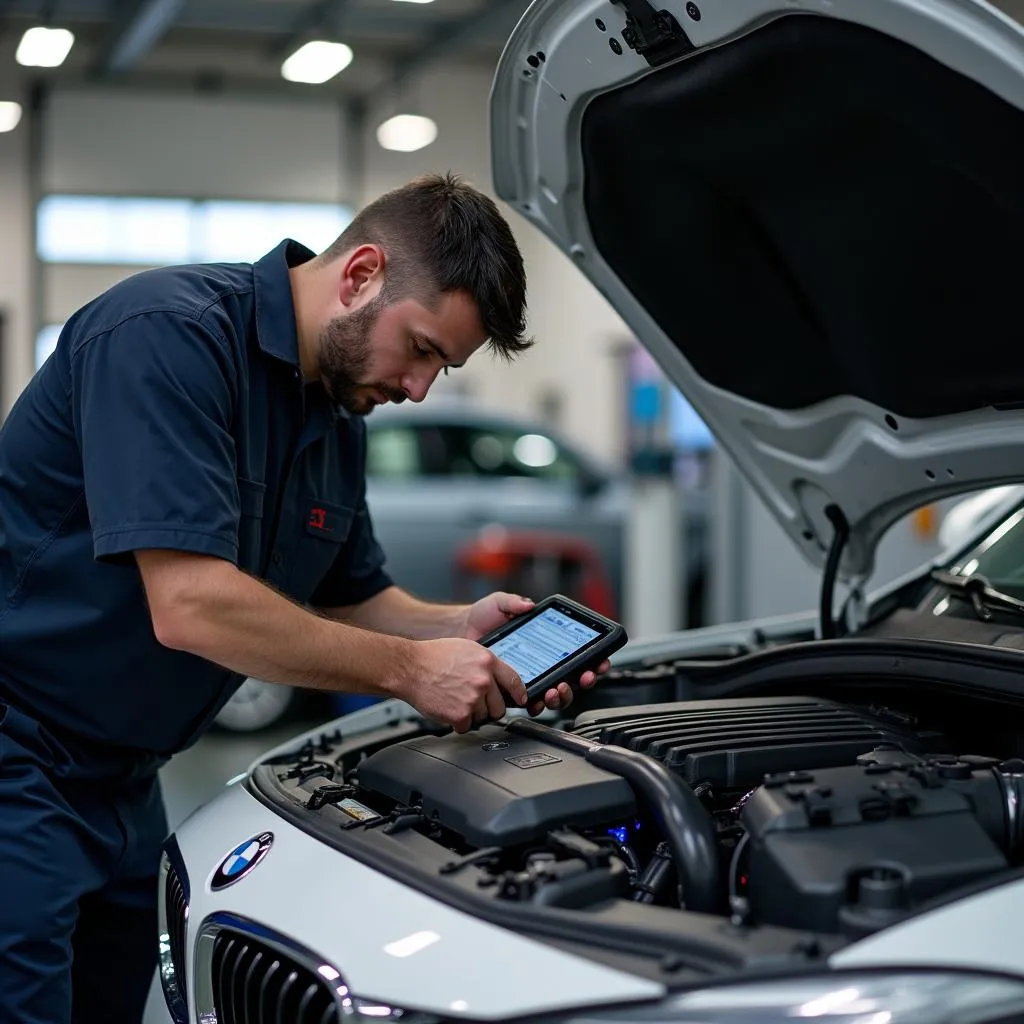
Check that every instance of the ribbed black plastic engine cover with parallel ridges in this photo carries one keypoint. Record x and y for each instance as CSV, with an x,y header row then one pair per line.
x,y
735,743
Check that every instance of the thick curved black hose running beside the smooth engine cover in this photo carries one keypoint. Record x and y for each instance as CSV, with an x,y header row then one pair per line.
x,y
676,809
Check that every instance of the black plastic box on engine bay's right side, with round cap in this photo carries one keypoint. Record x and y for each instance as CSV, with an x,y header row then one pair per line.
x,y
851,849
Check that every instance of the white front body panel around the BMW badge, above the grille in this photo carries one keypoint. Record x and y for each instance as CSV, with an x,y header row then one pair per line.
x,y
351,914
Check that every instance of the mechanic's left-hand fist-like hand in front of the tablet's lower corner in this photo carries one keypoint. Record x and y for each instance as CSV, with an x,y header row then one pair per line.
x,y
459,684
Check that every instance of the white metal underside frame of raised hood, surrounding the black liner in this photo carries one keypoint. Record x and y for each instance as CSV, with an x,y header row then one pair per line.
x,y
841,451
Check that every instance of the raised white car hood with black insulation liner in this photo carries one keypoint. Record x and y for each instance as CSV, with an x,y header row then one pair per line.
x,y
812,214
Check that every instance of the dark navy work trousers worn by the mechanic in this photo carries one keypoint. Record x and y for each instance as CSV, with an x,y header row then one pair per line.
x,y
79,856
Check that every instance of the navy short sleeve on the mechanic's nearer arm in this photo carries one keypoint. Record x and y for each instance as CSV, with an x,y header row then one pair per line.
x,y
153,403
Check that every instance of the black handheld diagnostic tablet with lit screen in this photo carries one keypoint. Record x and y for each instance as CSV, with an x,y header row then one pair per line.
x,y
559,639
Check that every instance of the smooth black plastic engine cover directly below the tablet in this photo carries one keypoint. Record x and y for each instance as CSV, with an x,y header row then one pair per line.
x,y
496,789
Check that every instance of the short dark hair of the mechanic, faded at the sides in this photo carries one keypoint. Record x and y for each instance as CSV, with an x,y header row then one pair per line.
x,y
442,235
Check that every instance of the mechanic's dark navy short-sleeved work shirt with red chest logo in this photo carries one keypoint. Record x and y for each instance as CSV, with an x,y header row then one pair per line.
x,y
173,415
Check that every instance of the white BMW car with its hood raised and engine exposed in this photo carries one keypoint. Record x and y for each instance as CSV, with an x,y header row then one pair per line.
x,y
810,212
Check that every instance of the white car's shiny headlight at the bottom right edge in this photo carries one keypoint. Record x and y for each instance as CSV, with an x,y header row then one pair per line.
x,y
898,998
